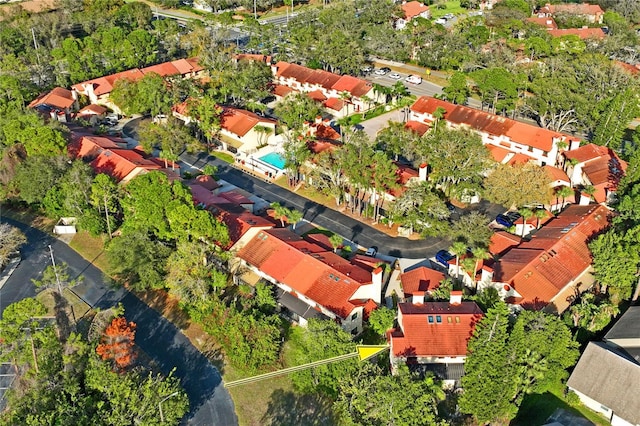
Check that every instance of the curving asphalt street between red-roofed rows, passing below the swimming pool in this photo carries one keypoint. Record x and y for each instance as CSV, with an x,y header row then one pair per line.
x,y
326,217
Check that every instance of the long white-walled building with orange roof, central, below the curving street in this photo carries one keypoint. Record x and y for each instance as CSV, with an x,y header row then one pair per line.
x,y
325,282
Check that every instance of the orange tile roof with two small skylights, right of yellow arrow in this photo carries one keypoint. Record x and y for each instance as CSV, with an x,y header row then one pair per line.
x,y
417,337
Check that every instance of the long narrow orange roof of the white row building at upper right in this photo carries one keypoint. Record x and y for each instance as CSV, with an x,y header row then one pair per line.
x,y
492,124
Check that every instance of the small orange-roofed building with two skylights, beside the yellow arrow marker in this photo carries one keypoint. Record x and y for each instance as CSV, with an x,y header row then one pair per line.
x,y
433,336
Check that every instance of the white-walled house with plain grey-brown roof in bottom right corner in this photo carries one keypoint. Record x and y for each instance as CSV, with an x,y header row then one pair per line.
x,y
606,380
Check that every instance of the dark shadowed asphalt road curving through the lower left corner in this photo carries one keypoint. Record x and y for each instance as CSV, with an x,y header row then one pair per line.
x,y
210,402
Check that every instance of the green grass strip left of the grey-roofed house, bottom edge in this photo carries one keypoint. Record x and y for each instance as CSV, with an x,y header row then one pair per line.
x,y
536,409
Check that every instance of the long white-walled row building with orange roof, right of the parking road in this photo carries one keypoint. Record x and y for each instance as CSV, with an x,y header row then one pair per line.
x,y
532,142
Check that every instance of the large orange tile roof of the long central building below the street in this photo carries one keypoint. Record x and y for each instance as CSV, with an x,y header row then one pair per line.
x,y
306,268
